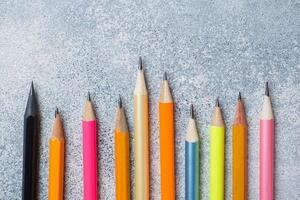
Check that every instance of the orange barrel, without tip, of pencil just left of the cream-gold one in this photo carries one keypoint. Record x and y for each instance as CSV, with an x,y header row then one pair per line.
x,y
122,162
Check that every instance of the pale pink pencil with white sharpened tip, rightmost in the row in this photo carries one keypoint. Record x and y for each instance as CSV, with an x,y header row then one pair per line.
x,y
266,149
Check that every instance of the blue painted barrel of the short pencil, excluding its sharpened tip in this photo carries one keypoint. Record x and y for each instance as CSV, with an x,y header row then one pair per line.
x,y
192,171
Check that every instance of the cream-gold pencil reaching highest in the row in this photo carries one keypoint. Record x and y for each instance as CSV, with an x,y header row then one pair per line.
x,y
141,136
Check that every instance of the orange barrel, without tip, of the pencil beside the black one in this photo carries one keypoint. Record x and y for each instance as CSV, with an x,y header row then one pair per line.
x,y
56,169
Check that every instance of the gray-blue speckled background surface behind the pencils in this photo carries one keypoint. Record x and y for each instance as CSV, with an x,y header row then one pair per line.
x,y
208,48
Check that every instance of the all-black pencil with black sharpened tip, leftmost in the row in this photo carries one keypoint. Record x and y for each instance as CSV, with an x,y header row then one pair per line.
x,y
30,147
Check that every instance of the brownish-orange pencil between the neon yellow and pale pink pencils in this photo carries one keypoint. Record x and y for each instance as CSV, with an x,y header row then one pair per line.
x,y
239,153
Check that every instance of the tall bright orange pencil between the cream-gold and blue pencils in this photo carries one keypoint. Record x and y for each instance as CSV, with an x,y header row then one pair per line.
x,y
166,125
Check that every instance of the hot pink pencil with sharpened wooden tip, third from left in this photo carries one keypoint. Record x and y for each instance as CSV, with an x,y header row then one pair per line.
x,y
89,152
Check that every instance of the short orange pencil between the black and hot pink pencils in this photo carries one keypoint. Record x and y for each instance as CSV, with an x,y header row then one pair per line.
x,y
56,160
